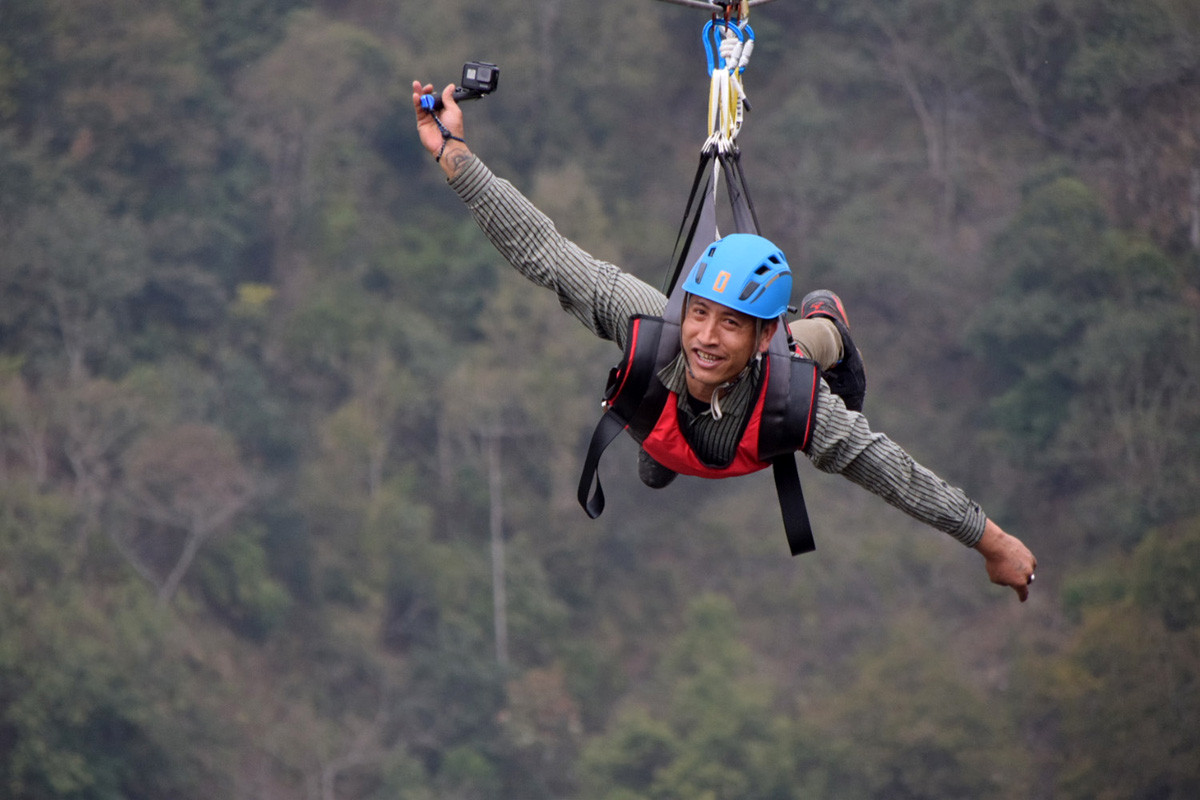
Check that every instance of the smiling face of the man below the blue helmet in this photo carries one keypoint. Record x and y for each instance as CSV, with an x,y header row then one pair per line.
x,y
718,344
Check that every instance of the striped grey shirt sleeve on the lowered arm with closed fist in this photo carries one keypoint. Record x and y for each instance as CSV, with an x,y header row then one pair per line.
x,y
843,443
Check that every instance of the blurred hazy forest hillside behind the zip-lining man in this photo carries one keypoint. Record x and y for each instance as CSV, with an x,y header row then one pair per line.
x,y
269,402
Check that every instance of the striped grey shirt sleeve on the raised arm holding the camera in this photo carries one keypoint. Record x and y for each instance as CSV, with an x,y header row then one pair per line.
x,y
597,293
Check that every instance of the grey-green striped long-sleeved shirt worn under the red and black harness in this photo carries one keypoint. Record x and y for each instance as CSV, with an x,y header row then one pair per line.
x,y
604,298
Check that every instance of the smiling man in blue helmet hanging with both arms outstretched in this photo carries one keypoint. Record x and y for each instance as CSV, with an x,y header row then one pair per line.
x,y
717,375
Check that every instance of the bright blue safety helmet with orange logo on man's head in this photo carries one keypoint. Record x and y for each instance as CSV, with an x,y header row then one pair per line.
x,y
745,273
